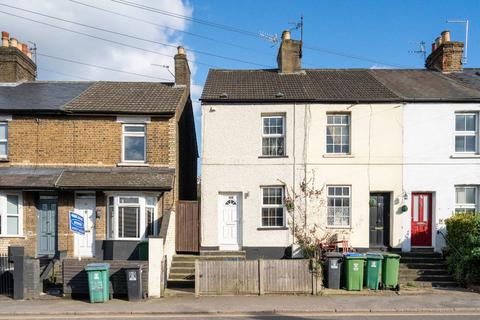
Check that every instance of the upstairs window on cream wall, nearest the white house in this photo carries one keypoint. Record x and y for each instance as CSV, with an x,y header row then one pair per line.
x,y
338,133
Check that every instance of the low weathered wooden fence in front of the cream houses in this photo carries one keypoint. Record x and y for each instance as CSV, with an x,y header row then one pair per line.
x,y
254,277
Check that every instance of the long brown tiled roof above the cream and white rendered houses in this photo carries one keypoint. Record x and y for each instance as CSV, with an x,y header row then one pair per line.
x,y
338,86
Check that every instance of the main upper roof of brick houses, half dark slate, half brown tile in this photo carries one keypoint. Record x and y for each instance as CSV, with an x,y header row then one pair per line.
x,y
92,97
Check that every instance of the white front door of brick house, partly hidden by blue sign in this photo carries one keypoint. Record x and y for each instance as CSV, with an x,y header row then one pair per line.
x,y
85,205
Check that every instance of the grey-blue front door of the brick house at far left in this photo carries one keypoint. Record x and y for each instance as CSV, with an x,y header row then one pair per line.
x,y
47,226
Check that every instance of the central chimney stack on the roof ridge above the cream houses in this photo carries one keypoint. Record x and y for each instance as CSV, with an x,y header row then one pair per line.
x,y
289,58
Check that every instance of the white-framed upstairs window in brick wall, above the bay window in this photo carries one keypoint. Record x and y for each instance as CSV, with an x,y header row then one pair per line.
x,y
134,143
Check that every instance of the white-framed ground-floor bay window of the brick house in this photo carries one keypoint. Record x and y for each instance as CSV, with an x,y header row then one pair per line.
x,y
132,216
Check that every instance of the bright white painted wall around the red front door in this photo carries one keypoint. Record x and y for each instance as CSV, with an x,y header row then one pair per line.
x,y
431,164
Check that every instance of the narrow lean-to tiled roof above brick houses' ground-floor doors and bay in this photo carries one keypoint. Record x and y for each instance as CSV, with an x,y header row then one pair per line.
x,y
160,179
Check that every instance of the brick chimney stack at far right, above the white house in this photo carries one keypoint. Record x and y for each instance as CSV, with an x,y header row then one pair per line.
x,y
446,55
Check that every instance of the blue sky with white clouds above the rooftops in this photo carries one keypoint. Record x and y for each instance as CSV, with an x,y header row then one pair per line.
x,y
382,33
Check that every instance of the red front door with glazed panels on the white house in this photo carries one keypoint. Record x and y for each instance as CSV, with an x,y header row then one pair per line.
x,y
421,219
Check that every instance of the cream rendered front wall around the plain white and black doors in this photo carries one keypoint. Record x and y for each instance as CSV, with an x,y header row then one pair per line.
x,y
231,163
